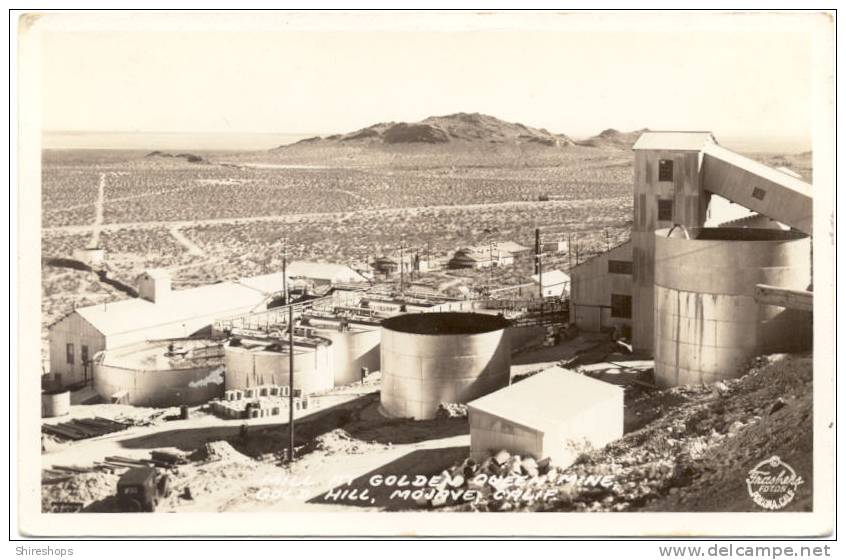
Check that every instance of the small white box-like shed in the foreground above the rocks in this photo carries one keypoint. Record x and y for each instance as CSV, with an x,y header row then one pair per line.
x,y
557,413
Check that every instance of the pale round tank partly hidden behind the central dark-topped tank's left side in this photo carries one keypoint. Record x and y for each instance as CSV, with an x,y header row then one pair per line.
x,y
355,345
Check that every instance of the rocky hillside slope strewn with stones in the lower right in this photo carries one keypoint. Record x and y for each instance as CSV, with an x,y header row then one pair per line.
x,y
700,437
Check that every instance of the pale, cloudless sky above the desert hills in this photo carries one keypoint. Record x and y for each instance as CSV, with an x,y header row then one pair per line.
x,y
736,80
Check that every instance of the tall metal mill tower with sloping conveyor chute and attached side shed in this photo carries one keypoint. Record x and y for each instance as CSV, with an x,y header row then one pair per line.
x,y
684,181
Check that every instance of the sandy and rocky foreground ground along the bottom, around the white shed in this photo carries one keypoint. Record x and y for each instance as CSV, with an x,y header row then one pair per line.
x,y
685,449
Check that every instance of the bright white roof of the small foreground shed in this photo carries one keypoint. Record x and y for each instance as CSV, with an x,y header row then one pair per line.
x,y
546,399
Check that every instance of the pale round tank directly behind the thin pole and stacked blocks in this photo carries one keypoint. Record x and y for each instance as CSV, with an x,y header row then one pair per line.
x,y
251,365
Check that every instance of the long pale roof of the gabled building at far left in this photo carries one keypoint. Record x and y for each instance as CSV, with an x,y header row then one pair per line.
x,y
214,300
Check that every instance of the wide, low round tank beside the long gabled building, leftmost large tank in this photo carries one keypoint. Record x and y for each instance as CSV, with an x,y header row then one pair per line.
x,y
161,373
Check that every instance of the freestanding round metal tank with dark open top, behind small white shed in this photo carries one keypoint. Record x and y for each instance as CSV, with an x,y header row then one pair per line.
x,y
430,358
